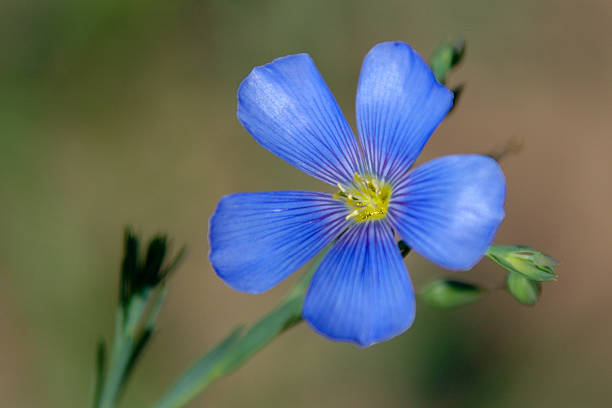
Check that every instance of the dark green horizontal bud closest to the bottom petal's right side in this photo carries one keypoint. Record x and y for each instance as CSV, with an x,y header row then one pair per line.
x,y
447,294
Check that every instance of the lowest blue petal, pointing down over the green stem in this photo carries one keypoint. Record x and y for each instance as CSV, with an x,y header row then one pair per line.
x,y
361,292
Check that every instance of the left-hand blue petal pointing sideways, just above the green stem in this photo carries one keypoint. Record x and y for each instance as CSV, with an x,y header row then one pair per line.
x,y
258,239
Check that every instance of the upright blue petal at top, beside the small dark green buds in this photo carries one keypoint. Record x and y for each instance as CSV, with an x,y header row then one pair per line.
x,y
399,105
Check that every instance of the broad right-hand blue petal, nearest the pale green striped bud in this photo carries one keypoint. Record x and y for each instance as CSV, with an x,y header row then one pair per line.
x,y
448,210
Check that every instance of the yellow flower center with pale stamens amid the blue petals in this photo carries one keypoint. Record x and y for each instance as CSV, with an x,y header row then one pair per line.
x,y
367,197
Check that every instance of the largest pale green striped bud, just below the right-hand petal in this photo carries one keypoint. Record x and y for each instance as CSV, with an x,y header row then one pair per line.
x,y
524,260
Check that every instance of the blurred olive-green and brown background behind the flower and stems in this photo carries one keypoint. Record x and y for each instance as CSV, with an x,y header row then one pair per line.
x,y
123,112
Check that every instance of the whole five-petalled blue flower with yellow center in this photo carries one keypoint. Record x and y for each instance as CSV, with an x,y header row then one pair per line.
x,y
448,210
